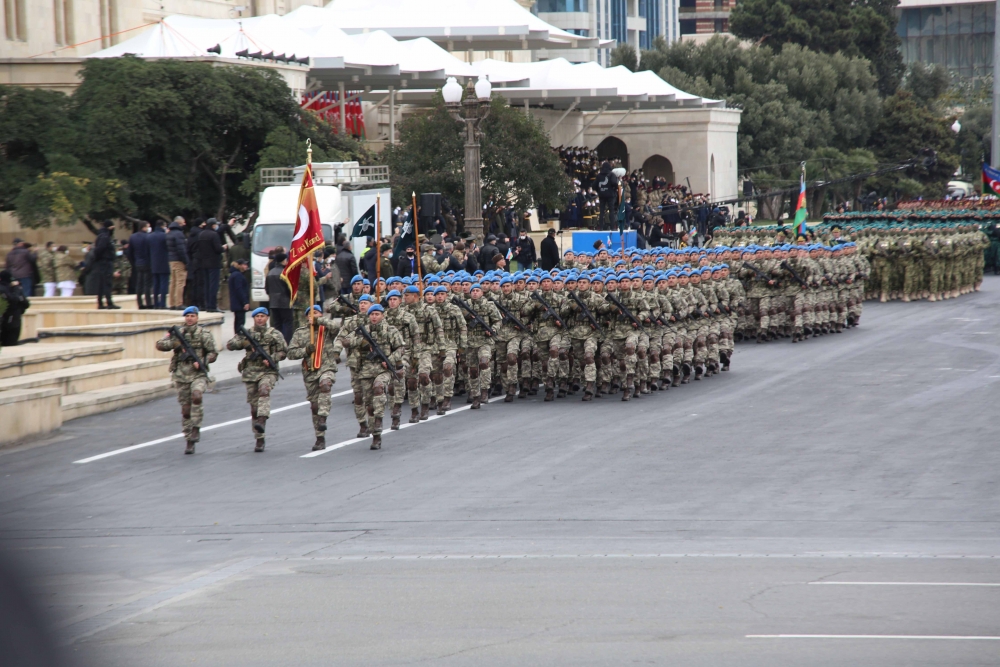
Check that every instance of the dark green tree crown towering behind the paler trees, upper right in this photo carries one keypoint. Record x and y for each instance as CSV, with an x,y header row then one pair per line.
x,y
856,28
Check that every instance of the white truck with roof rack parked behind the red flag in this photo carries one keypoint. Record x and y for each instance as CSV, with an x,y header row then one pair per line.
x,y
344,191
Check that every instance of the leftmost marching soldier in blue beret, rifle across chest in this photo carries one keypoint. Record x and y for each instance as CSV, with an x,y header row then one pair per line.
x,y
190,379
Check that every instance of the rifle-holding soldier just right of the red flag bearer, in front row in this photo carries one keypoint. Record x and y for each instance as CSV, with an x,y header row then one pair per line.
x,y
374,373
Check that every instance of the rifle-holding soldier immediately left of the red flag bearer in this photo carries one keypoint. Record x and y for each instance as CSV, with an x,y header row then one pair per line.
x,y
258,376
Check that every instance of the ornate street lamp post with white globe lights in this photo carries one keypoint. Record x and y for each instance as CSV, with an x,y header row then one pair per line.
x,y
472,112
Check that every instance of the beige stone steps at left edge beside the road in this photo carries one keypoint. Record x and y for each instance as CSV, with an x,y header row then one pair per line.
x,y
45,384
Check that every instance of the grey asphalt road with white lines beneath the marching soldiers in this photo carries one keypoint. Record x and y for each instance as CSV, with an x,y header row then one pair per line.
x,y
688,528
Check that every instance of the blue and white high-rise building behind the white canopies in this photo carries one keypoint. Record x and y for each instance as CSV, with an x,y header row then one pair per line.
x,y
635,22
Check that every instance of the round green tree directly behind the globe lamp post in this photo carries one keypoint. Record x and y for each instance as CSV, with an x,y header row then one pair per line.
x,y
519,167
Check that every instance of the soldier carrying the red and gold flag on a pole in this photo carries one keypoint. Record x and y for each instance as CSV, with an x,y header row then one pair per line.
x,y
319,379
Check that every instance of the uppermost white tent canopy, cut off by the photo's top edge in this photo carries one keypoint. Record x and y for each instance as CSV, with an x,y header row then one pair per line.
x,y
480,25
